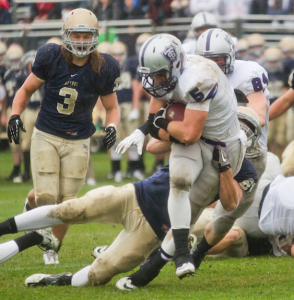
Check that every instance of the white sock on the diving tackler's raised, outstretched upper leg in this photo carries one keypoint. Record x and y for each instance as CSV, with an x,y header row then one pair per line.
x,y
37,218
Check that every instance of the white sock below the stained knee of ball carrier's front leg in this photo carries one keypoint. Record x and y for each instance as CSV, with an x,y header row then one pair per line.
x,y
179,208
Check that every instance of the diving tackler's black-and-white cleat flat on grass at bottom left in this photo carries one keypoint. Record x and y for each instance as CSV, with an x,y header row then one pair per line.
x,y
48,279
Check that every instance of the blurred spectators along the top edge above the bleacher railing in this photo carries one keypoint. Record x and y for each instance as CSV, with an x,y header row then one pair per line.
x,y
157,10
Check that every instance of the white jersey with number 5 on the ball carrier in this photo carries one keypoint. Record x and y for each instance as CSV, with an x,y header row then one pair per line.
x,y
203,86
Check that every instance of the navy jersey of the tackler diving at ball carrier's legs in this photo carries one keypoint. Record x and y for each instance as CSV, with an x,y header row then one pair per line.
x,y
152,195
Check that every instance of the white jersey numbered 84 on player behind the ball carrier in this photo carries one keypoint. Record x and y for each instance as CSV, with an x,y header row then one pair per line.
x,y
250,77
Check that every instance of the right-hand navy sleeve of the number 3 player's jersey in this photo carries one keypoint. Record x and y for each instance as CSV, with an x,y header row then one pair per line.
x,y
112,74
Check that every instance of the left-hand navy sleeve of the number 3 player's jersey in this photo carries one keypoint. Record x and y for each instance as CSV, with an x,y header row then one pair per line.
x,y
44,57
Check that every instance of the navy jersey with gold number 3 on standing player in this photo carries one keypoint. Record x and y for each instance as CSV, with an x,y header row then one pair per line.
x,y
70,95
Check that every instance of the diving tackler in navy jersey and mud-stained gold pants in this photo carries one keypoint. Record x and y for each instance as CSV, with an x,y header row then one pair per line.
x,y
140,207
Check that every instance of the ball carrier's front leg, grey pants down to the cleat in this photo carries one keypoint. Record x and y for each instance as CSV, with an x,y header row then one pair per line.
x,y
185,166
